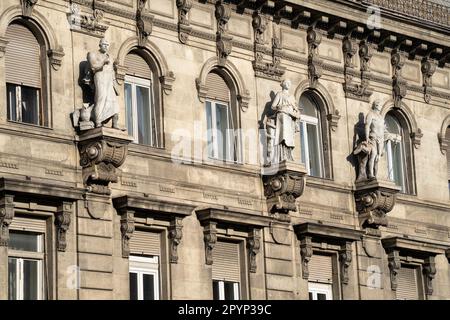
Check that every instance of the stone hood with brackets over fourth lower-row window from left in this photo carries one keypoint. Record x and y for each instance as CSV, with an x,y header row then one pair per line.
x,y
312,236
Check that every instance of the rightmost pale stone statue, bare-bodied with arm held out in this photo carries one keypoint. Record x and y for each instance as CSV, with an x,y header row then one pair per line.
x,y
371,148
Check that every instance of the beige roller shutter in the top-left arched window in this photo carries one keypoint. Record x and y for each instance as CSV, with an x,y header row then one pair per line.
x,y
22,57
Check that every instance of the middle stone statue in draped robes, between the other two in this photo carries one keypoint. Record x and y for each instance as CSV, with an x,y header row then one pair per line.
x,y
282,125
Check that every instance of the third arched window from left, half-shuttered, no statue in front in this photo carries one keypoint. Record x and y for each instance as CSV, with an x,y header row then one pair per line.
x,y
222,119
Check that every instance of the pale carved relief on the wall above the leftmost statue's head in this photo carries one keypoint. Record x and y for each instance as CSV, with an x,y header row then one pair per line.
x,y
91,24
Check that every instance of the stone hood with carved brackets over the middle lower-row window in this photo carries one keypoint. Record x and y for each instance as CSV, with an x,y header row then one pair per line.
x,y
224,223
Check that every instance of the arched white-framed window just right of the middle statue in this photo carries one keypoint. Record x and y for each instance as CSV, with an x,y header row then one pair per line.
x,y
311,134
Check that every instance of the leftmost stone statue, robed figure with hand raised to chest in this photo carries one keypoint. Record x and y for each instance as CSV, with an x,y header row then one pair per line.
x,y
106,104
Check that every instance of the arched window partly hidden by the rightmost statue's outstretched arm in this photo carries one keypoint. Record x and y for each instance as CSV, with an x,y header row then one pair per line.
x,y
398,152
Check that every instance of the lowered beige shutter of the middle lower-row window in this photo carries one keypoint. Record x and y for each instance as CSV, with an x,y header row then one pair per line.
x,y
226,262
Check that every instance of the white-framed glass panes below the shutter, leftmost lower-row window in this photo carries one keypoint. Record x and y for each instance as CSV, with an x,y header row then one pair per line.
x,y
25,266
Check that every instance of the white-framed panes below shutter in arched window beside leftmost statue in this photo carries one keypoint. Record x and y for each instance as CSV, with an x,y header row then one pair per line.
x,y
140,111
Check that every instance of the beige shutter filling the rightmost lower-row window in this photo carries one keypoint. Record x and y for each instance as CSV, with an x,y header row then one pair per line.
x,y
409,281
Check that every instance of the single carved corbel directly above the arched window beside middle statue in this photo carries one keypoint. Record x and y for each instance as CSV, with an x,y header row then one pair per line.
x,y
314,38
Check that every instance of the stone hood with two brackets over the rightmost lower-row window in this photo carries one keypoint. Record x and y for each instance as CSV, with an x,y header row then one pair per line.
x,y
407,250
